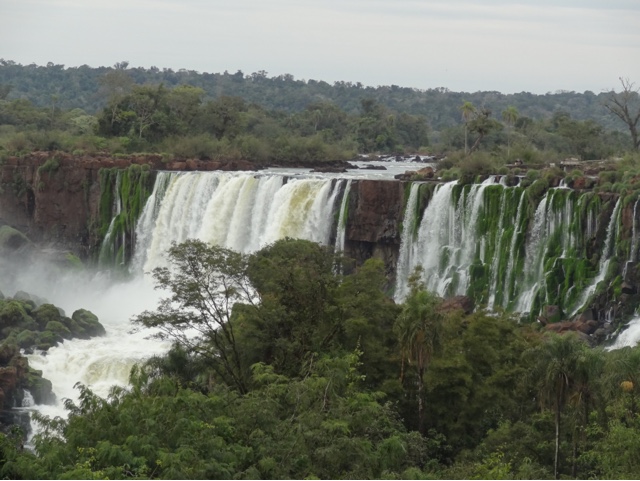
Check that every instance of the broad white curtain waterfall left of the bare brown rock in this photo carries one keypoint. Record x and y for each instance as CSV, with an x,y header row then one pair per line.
x,y
239,211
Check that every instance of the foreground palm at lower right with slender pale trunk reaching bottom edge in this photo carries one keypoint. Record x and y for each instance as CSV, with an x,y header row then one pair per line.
x,y
558,370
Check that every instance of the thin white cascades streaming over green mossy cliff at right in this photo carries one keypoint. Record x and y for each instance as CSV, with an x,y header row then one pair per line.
x,y
490,242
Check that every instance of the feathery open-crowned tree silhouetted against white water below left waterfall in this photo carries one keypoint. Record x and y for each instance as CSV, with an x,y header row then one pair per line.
x,y
205,282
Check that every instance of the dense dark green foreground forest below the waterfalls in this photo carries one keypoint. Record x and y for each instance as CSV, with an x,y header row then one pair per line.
x,y
314,374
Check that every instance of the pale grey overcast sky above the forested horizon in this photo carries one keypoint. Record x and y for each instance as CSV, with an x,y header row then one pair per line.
x,y
510,46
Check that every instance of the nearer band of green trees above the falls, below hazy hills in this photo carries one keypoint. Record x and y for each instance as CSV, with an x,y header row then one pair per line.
x,y
184,121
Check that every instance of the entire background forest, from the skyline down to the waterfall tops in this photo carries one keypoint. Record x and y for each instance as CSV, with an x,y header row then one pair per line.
x,y
187,114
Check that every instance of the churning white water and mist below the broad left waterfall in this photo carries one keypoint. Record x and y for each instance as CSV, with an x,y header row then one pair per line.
x,y
100,362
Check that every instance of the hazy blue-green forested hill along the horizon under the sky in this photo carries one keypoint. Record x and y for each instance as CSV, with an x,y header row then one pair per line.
x,y
78,87
